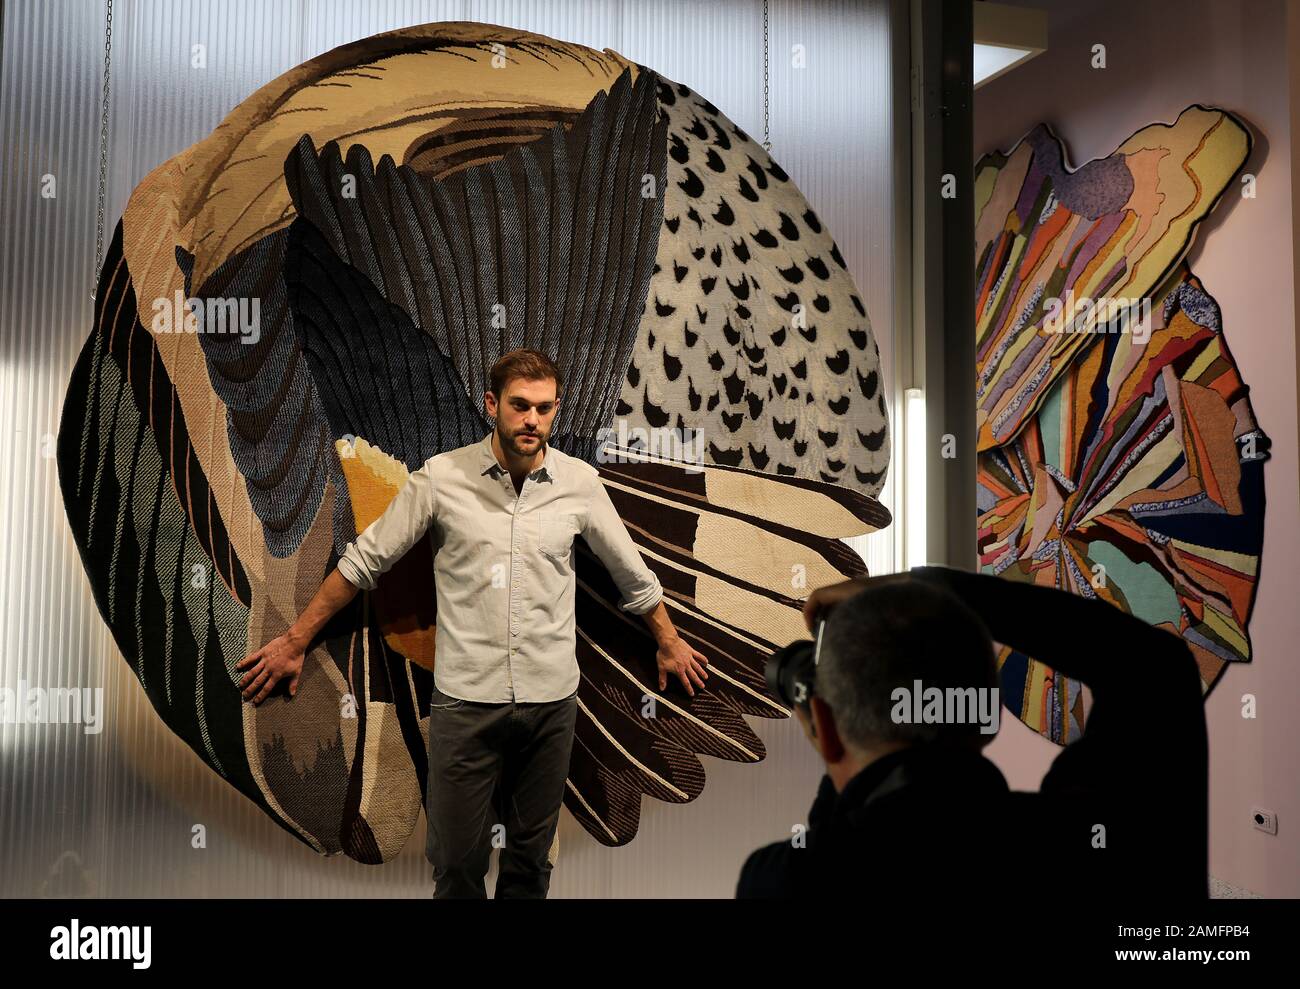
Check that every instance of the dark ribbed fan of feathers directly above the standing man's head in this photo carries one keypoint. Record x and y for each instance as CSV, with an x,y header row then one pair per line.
x,y
549,248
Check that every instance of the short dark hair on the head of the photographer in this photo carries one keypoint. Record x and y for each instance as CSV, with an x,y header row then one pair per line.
x,y
891,636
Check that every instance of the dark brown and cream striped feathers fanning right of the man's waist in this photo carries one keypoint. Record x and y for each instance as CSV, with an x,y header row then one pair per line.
x,y
736,609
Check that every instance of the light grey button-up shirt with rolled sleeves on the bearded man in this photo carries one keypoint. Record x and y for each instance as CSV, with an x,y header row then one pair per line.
x,y
504,567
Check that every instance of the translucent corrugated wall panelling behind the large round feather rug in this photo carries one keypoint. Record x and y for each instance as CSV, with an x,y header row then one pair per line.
x,y
114,813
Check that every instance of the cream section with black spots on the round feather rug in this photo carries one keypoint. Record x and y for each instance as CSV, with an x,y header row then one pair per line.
x,y
755,332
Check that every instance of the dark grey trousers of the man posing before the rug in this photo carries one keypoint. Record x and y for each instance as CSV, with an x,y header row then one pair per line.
x,y
496,780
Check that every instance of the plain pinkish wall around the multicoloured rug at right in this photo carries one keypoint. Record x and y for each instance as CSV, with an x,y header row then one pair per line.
x,y
1162,57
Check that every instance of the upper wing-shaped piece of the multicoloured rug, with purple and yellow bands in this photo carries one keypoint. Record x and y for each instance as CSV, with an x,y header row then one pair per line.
x,y
1099,241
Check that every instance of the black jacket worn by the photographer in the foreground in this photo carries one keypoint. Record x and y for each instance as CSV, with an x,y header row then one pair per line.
x,y
1121,812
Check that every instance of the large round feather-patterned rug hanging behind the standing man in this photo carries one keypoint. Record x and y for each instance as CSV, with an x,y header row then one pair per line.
x,y
302,307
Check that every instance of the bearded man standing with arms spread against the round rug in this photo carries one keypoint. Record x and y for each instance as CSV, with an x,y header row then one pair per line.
x,y
502,514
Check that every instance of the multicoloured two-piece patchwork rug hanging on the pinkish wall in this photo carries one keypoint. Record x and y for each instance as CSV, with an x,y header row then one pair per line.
x,y
1119,453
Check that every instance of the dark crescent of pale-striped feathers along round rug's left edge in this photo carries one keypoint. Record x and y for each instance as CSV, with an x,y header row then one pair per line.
x,y
148,526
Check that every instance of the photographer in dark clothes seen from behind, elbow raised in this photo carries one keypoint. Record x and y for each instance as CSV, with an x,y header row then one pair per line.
x,y
900,712
